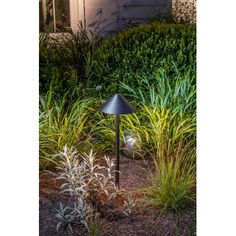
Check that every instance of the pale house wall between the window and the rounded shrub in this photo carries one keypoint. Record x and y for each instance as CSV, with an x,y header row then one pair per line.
x,y
108,16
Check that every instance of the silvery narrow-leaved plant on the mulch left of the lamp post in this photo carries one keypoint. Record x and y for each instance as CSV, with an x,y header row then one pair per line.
x,y
92,189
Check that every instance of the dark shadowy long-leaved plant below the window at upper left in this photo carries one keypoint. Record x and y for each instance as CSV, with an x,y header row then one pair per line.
x,y
65,59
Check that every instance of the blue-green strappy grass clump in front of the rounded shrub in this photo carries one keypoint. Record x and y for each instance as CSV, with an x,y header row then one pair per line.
x,y
177,93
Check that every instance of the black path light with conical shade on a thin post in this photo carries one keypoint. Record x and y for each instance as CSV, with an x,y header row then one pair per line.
x,y
117,105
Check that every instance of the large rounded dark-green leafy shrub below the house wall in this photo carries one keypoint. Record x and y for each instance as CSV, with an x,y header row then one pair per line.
x,y
142,52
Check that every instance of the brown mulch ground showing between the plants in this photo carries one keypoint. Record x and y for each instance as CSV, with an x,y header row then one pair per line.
x,y
134,175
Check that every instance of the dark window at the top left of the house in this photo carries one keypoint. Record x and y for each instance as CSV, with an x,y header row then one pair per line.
x,y
54,15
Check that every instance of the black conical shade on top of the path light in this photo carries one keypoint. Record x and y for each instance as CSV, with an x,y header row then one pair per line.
x,y
117,105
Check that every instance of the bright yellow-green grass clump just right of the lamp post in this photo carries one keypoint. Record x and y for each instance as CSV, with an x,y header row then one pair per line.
x,y
154,128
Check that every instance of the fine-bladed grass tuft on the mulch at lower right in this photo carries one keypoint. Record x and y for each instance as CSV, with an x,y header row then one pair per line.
x,y
173,183
